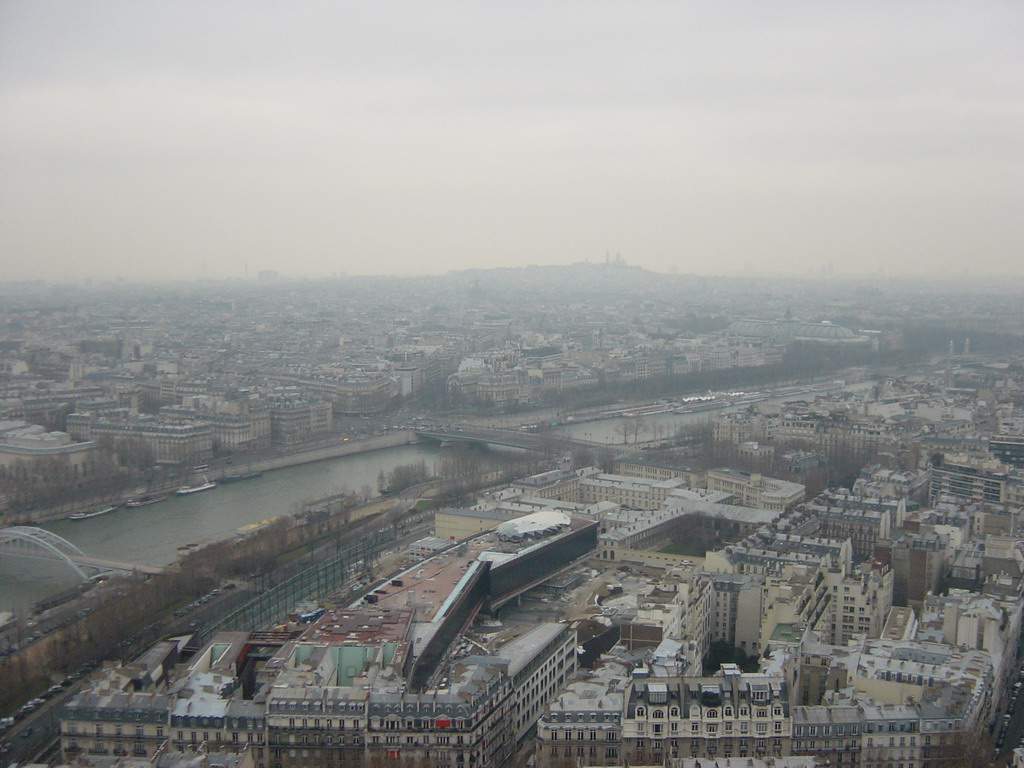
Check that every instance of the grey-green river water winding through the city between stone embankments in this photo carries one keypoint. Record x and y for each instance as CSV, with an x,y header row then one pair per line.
x,y
151,536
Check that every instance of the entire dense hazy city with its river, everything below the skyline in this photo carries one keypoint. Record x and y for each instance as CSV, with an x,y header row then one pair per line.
x,y
584,516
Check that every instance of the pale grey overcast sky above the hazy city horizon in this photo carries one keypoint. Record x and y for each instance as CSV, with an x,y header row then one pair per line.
x,y
215,140
